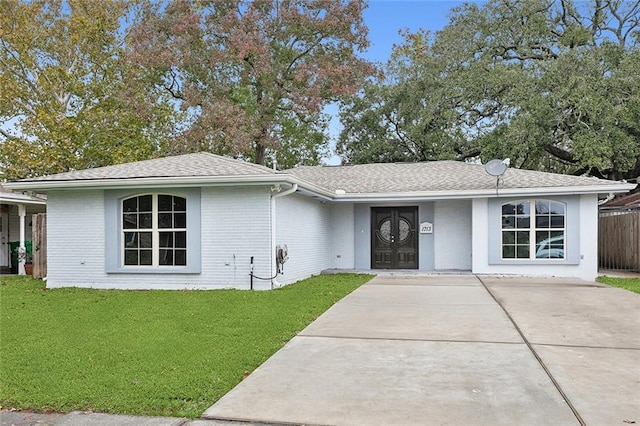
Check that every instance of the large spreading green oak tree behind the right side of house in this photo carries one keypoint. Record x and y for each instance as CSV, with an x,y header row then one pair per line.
x,y
554,85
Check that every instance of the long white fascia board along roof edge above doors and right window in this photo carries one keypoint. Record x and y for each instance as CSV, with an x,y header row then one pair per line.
x,y
483,193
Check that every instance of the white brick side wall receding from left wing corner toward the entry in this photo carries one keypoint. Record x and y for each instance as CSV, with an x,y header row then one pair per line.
x,y
304,225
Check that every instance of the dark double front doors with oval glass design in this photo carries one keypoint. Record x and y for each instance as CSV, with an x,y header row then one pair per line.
x,y
394,238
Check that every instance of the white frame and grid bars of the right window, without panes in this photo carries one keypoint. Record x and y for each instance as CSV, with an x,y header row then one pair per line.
x,y
533,229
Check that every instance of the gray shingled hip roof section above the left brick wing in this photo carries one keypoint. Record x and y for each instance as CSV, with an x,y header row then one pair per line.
x,y
199,164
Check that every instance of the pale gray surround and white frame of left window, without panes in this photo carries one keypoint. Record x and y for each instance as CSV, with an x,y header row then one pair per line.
x,y
114,231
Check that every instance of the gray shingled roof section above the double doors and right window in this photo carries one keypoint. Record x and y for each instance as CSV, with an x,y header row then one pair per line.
x,y
430,176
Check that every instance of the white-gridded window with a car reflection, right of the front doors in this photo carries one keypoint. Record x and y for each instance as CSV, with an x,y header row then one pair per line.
x,y
533,229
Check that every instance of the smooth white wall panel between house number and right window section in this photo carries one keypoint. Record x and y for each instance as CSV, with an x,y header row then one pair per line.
x,y
452,234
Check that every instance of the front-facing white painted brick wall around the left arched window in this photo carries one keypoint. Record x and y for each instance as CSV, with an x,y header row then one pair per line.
x,y
235,225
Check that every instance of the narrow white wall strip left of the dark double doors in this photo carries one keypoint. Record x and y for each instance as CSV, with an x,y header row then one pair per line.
x,y
342,229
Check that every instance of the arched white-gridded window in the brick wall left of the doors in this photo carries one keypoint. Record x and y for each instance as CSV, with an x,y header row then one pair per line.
x,y
154,230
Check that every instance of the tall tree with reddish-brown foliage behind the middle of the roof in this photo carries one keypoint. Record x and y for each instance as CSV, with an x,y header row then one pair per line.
x,y
254,76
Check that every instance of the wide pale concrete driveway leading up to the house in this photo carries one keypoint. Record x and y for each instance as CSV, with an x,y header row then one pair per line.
x,y
455,349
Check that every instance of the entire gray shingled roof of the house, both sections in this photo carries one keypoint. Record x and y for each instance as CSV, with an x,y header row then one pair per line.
x,y
381,178
